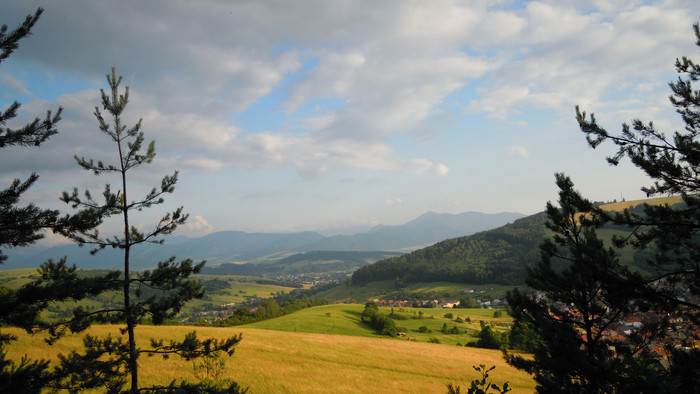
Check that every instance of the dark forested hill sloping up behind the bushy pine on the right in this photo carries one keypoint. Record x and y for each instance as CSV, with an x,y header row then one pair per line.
x,y
495,256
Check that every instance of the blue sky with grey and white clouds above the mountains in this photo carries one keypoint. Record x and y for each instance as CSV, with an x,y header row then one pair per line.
x,y
336,116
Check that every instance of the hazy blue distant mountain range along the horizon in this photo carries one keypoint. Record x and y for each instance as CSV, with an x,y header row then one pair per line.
x,y
236,246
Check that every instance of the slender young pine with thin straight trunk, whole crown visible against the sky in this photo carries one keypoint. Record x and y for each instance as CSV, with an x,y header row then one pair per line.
x,y
156,294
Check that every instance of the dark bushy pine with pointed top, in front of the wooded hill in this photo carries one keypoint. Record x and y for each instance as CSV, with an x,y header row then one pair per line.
x,y
583,291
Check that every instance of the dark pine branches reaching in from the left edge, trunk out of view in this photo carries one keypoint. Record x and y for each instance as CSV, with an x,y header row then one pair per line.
x,y
22,226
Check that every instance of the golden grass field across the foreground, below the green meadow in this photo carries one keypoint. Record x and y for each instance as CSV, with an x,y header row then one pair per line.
x,y
268,361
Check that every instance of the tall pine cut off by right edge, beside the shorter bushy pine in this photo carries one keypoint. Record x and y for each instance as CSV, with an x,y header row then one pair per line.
x,y
671,233
